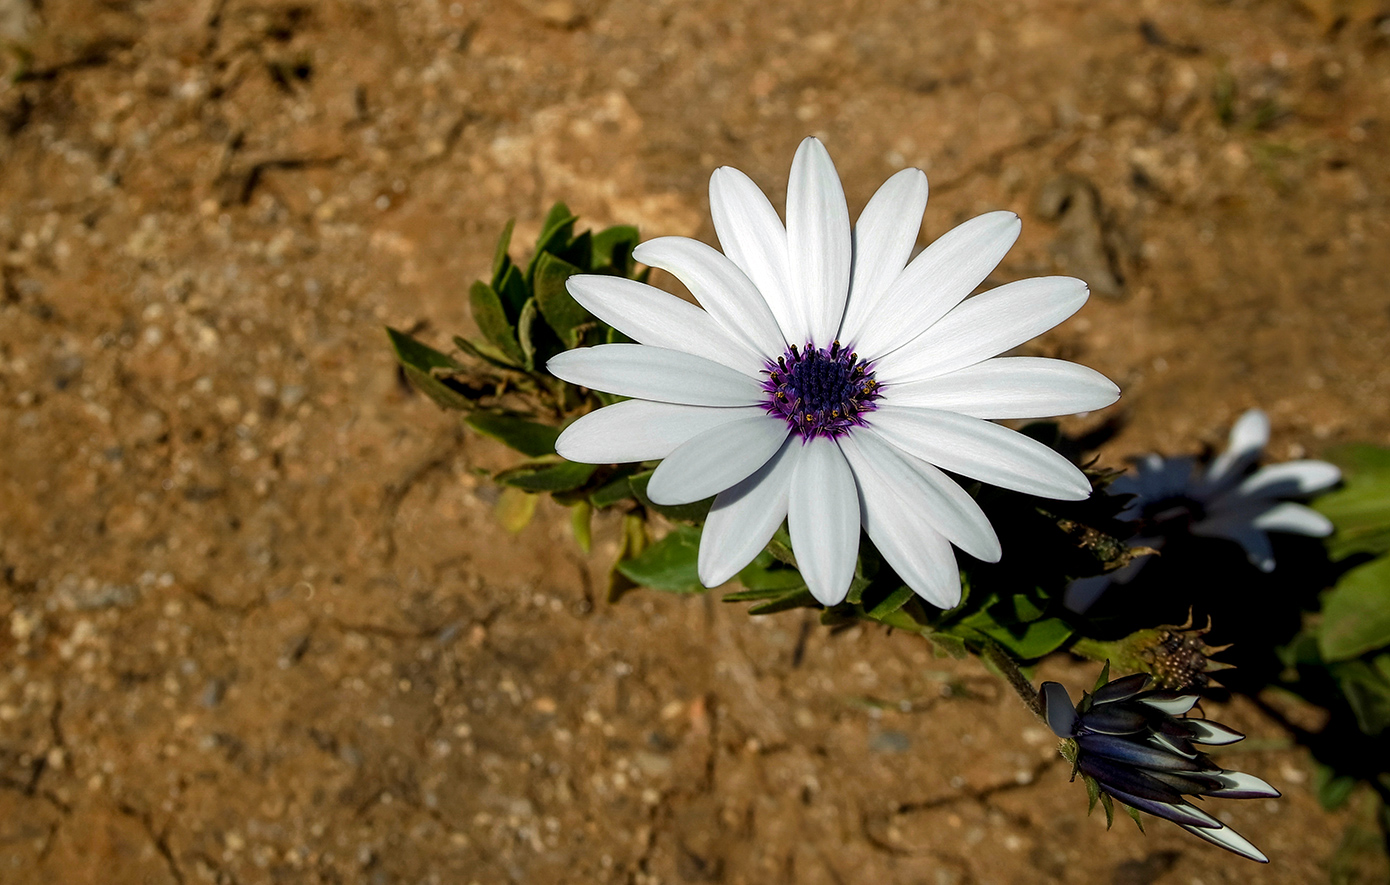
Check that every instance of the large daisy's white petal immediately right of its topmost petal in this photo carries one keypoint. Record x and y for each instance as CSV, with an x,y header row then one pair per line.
x,y
885,237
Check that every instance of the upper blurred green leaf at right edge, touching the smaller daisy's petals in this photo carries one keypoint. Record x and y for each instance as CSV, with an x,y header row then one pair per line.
x,y
1362,508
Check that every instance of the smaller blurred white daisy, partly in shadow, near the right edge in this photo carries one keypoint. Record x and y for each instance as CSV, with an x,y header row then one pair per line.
x,y
1223,499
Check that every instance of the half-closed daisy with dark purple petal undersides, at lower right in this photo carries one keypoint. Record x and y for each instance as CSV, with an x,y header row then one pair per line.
x,y
1138,747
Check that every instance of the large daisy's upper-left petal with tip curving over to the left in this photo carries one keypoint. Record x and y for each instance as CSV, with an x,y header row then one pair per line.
x,y
721,287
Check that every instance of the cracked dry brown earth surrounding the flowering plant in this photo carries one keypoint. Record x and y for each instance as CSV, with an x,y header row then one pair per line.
x,y
261,625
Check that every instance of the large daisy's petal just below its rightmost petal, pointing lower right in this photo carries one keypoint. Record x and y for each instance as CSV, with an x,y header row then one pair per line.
x,y
982,451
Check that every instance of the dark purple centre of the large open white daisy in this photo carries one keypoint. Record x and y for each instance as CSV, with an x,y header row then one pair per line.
x,y
821,391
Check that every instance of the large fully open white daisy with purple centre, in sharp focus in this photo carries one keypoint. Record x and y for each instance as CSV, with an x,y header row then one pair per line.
x,y
829,381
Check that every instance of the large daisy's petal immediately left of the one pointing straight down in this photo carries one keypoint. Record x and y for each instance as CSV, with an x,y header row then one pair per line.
x,y
747,516
